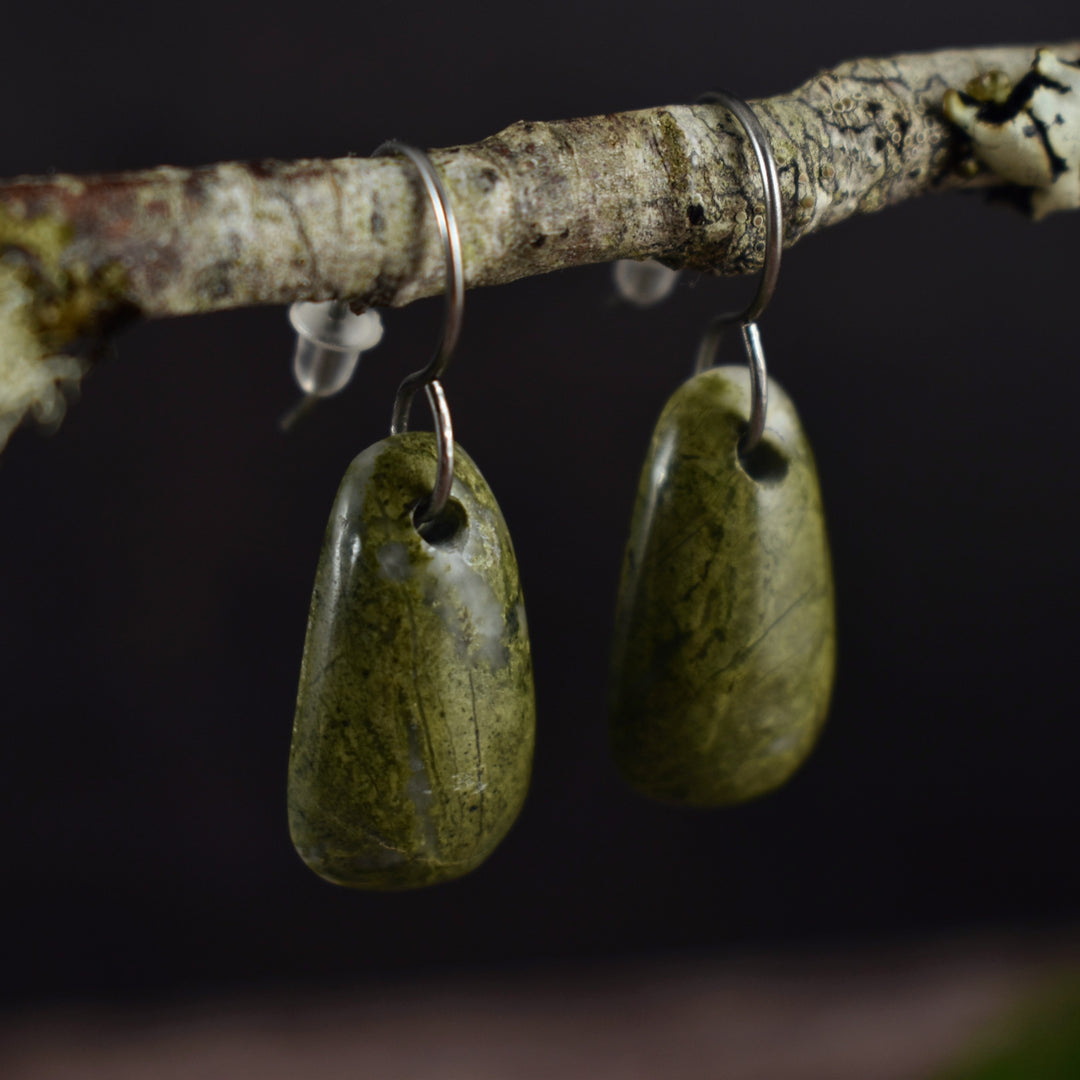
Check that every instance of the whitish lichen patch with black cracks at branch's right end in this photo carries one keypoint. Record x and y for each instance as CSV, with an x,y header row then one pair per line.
x,y
1031,137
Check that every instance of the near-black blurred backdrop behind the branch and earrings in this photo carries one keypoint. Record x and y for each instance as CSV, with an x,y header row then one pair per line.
x,y
157,555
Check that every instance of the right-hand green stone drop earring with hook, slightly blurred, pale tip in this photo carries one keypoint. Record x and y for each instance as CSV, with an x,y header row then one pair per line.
x,y
725,633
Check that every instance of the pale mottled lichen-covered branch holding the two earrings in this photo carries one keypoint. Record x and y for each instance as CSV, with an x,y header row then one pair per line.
x,y
674,183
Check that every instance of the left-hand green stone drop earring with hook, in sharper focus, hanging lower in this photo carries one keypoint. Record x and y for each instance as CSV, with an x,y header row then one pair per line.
x,y
413,740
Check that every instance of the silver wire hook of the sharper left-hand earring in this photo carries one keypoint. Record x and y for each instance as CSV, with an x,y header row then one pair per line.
x,y
429,377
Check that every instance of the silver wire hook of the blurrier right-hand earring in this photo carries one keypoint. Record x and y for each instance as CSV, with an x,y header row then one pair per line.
x,y
774,249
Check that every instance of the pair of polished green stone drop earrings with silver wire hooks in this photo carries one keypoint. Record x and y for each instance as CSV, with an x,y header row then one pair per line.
x,y
413,740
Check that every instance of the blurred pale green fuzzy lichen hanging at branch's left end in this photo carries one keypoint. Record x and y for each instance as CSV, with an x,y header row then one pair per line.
x,y
32,380
